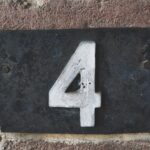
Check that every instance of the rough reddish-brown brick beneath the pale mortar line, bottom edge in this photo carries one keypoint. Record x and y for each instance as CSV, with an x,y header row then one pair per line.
x,y
42,145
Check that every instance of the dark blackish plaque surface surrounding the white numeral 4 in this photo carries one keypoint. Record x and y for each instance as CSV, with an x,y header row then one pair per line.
x,y
31,62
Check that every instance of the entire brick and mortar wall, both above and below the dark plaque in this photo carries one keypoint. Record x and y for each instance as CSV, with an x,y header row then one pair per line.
x,y
54,14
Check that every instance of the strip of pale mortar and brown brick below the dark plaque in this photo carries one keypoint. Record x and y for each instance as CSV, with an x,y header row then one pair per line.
x,y
74,142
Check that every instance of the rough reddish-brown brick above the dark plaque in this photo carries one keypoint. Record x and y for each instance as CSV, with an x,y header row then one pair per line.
x,y
22,14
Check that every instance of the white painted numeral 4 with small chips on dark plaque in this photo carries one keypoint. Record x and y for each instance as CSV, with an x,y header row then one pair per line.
x,y
83,62
